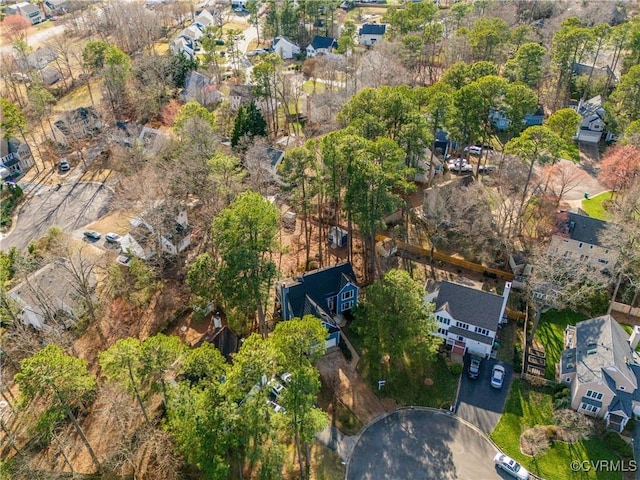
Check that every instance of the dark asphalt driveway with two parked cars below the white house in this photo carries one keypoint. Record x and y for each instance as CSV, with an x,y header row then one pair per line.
x,y
480,403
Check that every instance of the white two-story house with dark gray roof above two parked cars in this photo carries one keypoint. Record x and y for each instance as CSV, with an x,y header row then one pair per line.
x,y
468,319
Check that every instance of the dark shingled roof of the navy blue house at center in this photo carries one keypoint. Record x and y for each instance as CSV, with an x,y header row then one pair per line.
x,y
318,285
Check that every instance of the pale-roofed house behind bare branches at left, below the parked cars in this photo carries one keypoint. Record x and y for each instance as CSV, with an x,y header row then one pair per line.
x,y
48,296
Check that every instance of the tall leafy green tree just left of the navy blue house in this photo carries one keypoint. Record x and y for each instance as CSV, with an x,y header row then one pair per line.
x,y
244,236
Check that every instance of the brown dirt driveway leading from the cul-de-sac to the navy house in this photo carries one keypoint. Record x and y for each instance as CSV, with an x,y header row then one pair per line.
x,y
340,376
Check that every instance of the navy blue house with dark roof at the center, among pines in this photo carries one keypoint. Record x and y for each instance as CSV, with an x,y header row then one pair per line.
x,y
326,293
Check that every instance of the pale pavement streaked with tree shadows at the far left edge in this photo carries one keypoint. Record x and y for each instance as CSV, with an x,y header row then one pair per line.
x,y
72,206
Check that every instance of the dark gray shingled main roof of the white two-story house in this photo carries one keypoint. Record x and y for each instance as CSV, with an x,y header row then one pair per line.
x,y
469,305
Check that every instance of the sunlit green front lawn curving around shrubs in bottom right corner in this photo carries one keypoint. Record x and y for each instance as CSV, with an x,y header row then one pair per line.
x,y
528,406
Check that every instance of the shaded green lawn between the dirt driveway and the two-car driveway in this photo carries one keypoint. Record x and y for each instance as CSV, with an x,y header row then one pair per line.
x,y
406,384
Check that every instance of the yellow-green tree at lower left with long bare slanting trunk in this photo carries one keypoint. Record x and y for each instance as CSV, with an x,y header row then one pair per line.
x,y
63,381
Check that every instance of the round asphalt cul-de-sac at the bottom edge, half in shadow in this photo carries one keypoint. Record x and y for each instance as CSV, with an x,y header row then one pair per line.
x,y
422,444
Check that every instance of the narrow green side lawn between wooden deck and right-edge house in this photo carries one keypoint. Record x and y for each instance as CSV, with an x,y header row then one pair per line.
x,y
550,333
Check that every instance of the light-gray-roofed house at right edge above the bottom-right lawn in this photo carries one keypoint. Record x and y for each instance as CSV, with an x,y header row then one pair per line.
x,y
601,369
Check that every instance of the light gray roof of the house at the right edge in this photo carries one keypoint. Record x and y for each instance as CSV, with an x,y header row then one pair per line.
x,y
601,342
